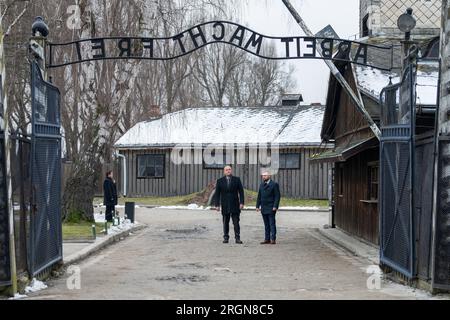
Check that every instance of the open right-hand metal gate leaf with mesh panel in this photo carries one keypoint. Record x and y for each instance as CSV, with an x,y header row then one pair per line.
x,y
396,173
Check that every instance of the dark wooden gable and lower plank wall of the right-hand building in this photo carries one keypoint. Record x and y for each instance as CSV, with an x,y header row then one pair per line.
x,y
352,213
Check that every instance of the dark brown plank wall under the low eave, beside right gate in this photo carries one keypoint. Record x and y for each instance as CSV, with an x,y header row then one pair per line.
x,y
351,213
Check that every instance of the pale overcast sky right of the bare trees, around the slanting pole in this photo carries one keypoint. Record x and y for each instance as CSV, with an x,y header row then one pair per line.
x,y
270,17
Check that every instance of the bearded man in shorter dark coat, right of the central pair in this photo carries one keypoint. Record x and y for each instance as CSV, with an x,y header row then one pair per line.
x,y
267,203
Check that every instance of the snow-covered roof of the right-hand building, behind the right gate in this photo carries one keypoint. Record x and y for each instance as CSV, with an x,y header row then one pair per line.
x,y
372,81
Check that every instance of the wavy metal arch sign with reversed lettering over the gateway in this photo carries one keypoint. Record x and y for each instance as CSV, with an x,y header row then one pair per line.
x,y
188,41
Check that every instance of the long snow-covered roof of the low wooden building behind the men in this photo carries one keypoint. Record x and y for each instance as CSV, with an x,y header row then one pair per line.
x,y
297,126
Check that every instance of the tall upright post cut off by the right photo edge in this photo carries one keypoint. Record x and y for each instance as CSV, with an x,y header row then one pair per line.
x,y
441,214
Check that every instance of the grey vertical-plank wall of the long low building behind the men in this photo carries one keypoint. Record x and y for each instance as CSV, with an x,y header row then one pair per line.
x,y
308,182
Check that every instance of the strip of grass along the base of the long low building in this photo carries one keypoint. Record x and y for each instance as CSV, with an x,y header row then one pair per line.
x,y
250,201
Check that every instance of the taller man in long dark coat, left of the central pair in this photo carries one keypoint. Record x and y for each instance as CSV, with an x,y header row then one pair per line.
x,y
230,196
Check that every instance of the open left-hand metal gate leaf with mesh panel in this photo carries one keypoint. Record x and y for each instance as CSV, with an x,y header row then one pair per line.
x,y
46,230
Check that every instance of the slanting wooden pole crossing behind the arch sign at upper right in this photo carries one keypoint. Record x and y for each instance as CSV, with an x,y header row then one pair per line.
x,y
334,70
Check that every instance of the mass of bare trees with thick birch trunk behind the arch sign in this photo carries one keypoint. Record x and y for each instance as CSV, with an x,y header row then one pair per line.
x,y
102,100
